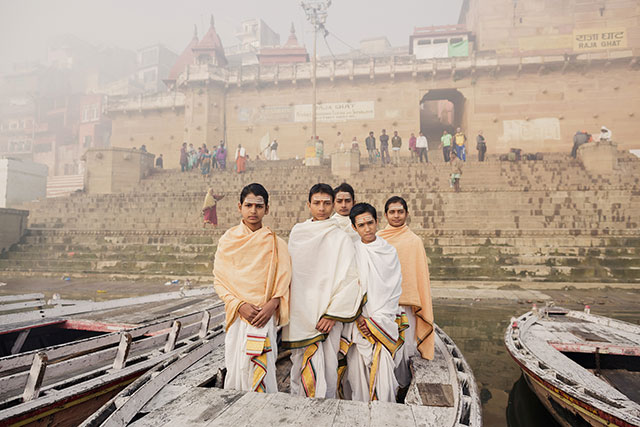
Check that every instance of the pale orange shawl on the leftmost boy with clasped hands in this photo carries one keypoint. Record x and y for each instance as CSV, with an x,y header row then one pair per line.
x,y
248,269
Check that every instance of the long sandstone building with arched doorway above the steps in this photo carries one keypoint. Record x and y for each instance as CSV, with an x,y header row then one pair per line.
x,y
528,82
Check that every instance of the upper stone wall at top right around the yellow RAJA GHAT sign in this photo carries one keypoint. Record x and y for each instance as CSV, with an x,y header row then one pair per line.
x,y
509,27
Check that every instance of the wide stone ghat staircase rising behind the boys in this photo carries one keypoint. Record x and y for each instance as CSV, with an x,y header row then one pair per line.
x,y
540,220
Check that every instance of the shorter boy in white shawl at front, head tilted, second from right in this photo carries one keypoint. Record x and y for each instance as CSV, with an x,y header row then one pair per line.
x,y
378,333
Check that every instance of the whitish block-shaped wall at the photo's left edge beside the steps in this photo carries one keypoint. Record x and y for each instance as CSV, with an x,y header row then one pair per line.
x,y
21,181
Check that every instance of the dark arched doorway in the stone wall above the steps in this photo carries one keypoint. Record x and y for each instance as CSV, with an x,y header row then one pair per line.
x,y
440,110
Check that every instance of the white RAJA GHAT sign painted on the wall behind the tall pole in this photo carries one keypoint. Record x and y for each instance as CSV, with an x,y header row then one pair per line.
x,y
335,112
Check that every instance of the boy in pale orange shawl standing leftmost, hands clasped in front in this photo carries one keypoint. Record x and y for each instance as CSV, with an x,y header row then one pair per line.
x,y
252,270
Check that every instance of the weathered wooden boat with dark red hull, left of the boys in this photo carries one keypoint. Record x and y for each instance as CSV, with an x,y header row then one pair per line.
x,y
46,382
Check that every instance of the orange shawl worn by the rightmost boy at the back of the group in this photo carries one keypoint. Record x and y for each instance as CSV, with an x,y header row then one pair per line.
x,y
416,290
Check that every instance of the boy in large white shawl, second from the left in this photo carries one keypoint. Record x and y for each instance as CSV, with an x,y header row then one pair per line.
x,y
324,293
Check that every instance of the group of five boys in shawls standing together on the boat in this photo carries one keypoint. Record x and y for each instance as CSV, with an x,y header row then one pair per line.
x,y
352,303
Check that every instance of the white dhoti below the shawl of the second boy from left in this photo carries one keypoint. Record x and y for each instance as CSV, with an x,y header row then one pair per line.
x,y
325,366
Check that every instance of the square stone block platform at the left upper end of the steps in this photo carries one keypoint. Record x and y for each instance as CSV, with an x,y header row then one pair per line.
x,y
115,170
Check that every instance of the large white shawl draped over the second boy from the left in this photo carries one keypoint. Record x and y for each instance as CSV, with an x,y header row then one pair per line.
x,y
324,280
